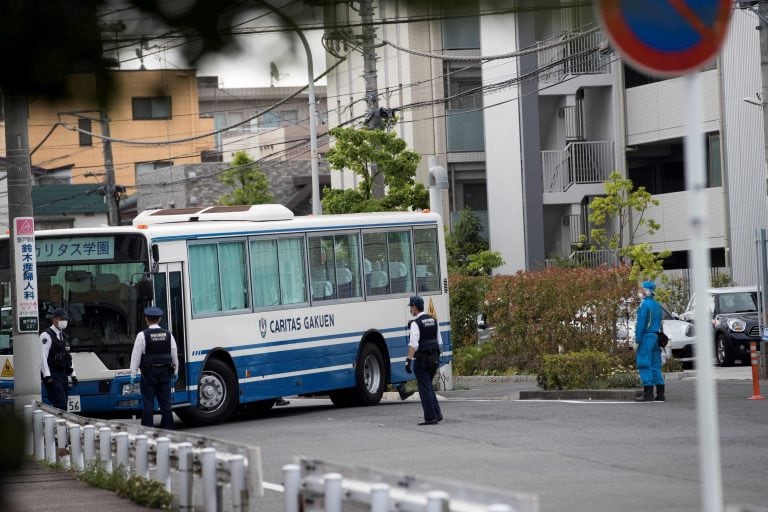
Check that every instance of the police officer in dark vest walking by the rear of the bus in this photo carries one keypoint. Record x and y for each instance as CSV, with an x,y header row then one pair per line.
x,y
424,346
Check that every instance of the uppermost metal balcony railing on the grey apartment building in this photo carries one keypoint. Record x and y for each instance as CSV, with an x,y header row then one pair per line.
x,y
577,54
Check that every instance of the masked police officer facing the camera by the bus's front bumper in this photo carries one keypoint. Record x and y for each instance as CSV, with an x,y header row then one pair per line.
x,y
56,361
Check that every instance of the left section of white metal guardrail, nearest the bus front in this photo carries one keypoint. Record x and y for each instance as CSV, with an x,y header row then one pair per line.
x,y
199,466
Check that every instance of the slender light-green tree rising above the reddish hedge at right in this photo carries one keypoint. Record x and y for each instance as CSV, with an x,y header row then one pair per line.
x,y
619,218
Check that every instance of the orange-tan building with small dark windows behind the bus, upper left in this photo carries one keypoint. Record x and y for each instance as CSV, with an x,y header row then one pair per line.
x,y
154,122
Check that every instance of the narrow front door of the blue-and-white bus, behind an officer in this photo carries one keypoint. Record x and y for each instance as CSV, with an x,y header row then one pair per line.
x,y
169,295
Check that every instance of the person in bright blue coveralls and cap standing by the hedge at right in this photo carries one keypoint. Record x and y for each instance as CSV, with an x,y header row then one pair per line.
x,y
649,322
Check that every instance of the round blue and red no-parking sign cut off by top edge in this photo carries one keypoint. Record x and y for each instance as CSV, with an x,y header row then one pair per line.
x,y
666,37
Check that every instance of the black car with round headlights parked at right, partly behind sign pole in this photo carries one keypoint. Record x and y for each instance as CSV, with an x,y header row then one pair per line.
x,y
735,320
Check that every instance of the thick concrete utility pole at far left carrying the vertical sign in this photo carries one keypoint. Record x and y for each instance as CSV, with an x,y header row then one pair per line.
x,y
26,346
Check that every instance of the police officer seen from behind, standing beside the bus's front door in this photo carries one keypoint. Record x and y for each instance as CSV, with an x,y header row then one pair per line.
x,y
156,355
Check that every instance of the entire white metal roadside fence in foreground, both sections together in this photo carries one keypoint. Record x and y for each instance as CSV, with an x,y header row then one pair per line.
x,y
198,471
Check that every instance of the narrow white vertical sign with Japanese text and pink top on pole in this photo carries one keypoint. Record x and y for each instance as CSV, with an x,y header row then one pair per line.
x,y
26,274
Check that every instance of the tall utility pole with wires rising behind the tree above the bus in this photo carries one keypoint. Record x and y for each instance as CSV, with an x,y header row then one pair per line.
x,y
373,118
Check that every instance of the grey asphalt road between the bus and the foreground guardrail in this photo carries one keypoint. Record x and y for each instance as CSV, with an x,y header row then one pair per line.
x,y
576,456
